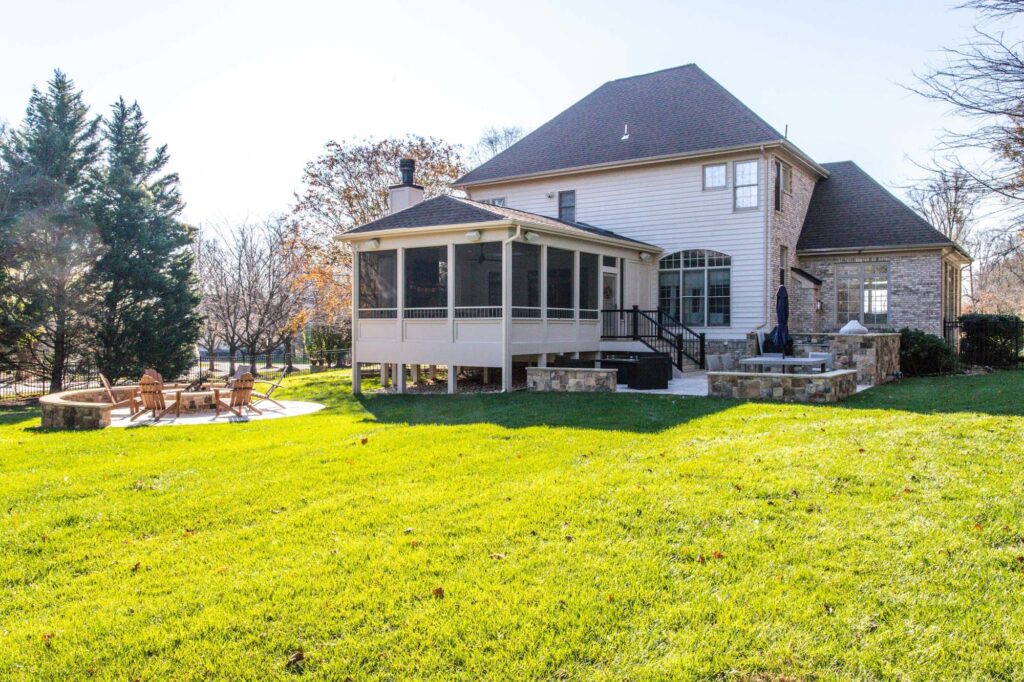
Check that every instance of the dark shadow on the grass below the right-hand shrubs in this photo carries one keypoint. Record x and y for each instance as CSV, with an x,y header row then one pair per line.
x,y
1000,394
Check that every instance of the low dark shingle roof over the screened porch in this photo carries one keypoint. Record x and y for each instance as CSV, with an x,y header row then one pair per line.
x,y
456,211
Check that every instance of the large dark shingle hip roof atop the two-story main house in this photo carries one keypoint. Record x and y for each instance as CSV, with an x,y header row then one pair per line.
x,y
677,111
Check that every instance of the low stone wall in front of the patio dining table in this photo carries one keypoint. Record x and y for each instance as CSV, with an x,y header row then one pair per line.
x,y
828,388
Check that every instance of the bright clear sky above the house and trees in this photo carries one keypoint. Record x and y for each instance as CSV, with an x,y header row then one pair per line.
x,y
244,94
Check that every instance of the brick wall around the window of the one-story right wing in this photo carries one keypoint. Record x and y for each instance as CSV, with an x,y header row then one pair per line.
x,y
915,289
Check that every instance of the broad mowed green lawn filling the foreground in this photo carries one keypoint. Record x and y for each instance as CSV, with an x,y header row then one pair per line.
x,y
573,537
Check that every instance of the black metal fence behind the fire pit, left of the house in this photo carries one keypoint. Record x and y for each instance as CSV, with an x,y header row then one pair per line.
x,y
20,387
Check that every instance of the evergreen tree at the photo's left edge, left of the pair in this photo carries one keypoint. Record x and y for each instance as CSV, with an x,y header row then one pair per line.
x,y
50,245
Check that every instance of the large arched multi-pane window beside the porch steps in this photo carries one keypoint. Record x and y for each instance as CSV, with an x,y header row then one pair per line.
x,y
695,287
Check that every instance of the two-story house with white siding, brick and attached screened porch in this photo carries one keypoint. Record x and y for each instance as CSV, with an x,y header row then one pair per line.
x,y
662,192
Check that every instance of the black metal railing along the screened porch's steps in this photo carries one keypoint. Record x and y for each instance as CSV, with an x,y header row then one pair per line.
x,y
657,329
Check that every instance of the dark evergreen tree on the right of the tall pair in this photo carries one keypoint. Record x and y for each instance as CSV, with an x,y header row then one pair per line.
x,y
149,314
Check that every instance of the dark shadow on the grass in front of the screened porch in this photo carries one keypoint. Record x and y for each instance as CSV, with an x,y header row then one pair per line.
x,y
611,412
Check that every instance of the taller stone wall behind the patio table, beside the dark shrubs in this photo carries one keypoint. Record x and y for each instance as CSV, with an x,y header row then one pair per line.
x,y
875,357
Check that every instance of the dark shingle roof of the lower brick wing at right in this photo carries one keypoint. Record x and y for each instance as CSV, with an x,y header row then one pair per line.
x,y
850,209
